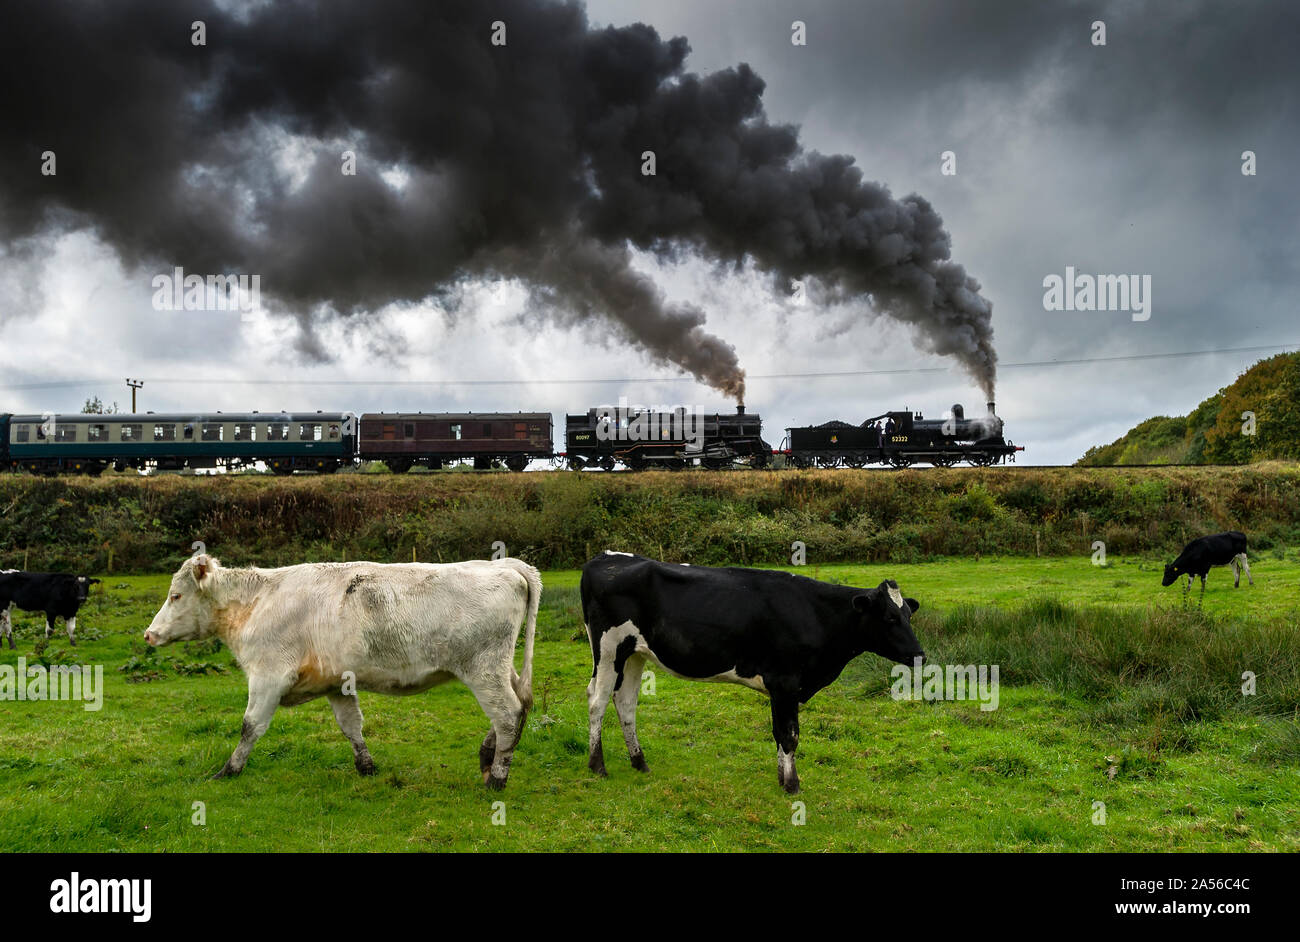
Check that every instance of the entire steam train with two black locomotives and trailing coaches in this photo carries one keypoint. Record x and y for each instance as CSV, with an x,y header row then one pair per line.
x,y
604,439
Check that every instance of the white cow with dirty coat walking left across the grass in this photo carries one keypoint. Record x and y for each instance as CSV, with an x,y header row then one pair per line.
x,y
328,630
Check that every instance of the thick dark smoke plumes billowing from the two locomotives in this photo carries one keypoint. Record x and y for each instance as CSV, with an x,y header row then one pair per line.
x,y
519,162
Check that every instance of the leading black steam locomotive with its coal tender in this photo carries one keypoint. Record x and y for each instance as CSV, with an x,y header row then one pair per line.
x,y
902,440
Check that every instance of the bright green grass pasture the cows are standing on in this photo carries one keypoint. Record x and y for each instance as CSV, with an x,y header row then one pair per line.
x,y
1112,692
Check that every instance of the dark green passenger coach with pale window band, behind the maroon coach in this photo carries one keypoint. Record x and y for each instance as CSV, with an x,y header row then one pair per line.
x,y
89,444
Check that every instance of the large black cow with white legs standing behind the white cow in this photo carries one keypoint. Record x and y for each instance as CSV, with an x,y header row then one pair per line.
x,y
785,636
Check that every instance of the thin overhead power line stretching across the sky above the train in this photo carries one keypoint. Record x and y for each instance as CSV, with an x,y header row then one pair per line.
x,y
1028,364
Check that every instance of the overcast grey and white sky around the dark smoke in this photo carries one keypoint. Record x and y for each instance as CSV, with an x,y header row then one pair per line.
x,y
1117,159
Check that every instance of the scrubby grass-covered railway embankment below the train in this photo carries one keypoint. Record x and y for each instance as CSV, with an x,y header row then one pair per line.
x,y
560,520
